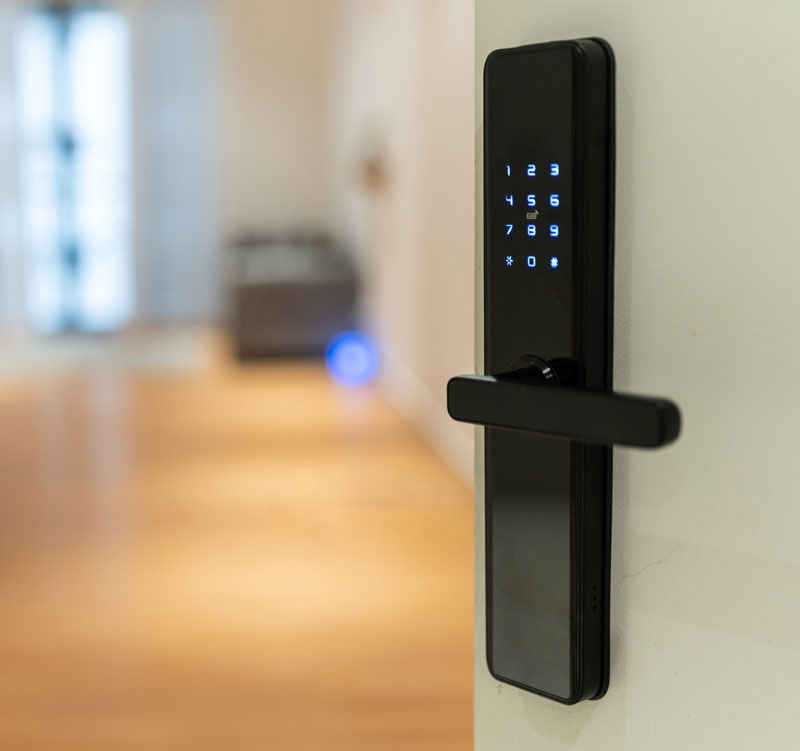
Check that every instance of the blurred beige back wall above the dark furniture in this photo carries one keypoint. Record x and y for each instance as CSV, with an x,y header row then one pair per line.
x,y
274,110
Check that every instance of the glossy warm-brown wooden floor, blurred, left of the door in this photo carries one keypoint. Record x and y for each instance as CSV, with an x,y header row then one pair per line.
x,y
242,558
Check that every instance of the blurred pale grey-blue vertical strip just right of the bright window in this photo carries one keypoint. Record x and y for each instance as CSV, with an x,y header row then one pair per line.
x,y
176,159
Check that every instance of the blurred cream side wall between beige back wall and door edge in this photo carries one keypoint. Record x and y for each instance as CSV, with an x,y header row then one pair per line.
x,y
402,97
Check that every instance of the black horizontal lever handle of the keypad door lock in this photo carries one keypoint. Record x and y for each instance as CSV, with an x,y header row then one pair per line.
x,y
588,416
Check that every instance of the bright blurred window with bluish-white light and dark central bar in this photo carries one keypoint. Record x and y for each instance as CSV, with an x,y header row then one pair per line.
x,y
75,195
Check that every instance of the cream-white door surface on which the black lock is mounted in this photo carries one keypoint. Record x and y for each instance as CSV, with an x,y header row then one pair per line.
x,y
706,565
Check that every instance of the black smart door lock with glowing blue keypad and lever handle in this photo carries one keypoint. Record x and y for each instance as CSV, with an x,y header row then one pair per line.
x,y
549,410
